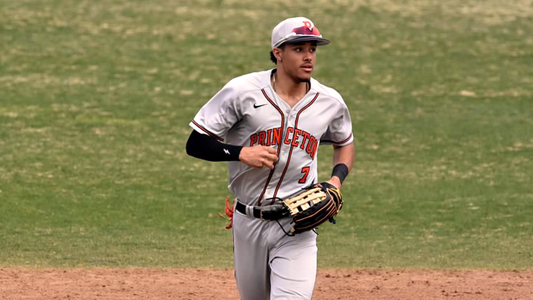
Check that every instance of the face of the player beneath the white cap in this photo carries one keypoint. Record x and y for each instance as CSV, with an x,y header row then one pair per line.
x,y
299,60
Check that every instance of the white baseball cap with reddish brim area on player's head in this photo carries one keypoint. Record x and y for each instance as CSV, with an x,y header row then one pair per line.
x,y
298,29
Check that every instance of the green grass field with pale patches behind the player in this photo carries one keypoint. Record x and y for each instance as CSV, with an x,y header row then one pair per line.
x,y
96,97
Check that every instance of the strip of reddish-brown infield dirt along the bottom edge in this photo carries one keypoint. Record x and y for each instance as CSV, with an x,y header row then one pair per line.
x,y
150,284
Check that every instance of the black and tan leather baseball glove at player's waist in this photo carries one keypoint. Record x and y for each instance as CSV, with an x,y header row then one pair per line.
x,y
314,206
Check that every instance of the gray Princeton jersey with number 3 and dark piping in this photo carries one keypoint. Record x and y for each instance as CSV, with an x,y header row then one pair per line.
x,y
247,112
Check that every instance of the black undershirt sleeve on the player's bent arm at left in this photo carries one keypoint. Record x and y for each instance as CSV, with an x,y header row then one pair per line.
x,y
205,147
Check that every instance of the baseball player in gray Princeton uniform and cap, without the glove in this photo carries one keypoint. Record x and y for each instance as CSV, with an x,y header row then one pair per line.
x,y
268,126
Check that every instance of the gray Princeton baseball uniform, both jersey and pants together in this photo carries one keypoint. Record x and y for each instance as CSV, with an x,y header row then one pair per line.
x,y
247,112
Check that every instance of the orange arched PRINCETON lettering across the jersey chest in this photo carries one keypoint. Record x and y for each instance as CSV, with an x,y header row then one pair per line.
x,y
293,137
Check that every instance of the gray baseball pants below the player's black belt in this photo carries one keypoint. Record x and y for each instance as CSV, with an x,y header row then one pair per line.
x,y
268,263
